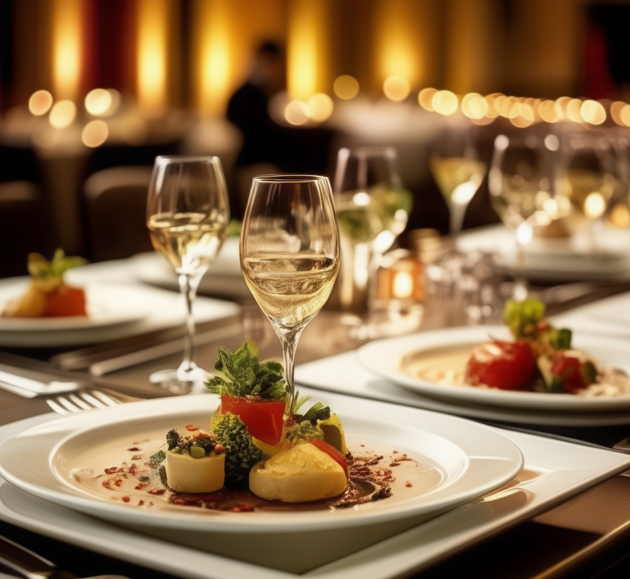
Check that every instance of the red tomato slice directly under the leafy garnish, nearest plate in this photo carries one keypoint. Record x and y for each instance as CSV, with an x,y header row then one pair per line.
x,y
264,418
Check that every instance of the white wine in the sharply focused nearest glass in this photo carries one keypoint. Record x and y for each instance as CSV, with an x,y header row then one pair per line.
x,y
290,288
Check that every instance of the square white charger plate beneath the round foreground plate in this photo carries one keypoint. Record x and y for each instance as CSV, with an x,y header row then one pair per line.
x,y
555,471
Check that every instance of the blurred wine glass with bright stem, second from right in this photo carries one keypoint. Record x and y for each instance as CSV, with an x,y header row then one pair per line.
x,y
523,186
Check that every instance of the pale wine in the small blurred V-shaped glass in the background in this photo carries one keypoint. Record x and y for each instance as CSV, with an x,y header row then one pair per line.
x,y
457,178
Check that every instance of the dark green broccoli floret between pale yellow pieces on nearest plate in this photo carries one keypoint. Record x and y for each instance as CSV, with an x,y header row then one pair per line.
x,y
240,453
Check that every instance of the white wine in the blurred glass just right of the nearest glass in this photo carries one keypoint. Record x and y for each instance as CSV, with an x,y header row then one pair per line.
x,y
364,215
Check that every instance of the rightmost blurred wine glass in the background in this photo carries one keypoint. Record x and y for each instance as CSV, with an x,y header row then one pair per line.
x,y
591,180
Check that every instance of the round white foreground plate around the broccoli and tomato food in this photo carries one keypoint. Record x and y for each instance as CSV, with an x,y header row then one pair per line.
x,y
473,460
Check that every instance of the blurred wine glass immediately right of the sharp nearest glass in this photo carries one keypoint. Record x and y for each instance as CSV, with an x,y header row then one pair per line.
x,y
372,208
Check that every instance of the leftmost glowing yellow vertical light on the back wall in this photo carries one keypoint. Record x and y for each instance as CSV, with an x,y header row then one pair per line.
x,y
66,47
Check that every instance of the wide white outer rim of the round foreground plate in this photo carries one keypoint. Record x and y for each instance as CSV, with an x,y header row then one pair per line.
x,y
509,463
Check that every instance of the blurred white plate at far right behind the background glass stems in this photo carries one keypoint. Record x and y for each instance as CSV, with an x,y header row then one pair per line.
x,y
565,259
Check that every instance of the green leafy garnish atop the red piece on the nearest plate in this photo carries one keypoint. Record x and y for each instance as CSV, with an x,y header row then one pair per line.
x,y
241,374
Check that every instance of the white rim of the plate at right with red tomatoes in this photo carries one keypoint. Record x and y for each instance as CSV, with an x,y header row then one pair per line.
x,y
374,358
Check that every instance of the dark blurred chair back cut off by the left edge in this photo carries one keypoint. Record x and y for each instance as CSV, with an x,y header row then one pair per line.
x,y
24,226
